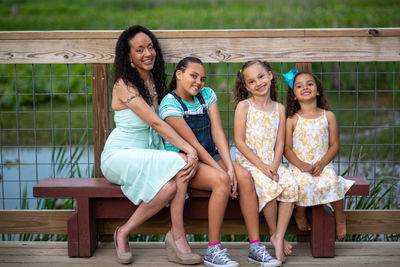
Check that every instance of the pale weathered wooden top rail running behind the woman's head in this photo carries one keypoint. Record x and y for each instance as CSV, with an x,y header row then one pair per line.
x,y
212,46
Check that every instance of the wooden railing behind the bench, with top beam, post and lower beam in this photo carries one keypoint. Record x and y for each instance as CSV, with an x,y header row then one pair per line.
x,y
301,46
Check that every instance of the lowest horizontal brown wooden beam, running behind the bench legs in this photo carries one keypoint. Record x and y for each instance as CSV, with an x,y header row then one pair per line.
x,y
55,221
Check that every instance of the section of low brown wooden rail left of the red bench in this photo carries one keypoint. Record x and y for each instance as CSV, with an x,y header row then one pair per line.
x,y
34,221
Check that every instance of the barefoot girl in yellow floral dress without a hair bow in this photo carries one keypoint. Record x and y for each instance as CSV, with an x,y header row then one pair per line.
x,y
259,130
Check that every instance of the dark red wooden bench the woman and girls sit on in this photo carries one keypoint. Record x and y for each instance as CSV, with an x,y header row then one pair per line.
x,y
99,199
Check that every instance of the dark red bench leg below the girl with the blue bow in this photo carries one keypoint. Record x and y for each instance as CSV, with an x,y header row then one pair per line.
x,y
322,232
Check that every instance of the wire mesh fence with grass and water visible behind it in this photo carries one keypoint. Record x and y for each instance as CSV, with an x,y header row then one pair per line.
x,y
47,127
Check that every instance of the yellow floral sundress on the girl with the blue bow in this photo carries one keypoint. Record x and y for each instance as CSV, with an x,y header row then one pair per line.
x,y
310,144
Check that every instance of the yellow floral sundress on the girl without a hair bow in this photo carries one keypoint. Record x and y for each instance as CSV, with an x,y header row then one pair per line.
x,y
261,134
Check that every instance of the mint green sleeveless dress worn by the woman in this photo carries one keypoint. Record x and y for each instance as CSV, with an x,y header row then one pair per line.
x,y
134,158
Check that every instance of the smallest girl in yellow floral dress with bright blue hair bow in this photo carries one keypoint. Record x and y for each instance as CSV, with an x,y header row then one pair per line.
x,y
312,142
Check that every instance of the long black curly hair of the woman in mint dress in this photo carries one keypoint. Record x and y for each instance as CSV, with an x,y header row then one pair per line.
x,y
124,71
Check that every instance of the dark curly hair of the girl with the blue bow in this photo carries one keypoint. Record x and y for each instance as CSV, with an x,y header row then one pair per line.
x,y
293,105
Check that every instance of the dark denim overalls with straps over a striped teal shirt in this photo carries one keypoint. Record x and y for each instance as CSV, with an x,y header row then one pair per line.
x,y
200,125
